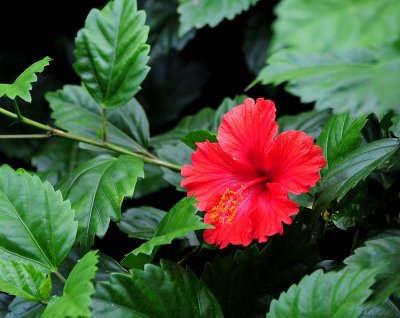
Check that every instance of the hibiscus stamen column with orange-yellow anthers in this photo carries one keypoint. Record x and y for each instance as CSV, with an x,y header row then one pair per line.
x,y
226,209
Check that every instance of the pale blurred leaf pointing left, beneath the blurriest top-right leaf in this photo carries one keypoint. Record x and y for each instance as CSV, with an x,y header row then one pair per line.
x,y
354,82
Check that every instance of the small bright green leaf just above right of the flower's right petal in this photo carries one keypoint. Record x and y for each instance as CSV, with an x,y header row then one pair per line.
x,y
340,137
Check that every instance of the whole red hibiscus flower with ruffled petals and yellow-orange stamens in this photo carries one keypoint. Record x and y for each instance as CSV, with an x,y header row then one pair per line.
x,y
242,182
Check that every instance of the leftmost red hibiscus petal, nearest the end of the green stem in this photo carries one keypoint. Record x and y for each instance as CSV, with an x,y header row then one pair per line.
x,y
212,172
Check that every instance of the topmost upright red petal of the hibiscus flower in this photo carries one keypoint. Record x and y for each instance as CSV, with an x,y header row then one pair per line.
x,y
247,131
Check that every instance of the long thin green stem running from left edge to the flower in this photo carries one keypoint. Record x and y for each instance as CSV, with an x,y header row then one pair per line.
x,y
57,132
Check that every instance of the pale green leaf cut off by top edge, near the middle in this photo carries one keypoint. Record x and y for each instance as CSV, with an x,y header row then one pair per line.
x,y
197,14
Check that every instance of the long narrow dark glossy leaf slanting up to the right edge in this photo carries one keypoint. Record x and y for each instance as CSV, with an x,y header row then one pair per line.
x,y
351,169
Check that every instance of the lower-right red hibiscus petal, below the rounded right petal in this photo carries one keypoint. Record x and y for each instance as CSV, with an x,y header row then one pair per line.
x,y
273,207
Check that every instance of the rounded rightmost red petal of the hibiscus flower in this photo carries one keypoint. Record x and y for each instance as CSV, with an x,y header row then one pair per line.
x,y
294,161
